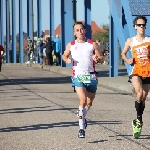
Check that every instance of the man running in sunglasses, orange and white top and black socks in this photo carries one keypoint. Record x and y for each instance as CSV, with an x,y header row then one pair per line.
x,y
139,69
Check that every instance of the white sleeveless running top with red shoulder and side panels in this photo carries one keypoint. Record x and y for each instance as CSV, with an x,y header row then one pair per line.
x,y
82,62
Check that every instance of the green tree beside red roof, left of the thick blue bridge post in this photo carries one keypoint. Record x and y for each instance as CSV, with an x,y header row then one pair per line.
x,y
102,36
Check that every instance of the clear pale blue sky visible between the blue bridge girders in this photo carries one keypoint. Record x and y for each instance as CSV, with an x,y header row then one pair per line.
x,y
99,13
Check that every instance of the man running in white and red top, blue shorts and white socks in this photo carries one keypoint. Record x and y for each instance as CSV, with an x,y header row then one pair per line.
x,y
84,55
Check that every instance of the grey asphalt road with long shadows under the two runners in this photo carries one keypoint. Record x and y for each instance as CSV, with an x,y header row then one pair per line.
x,y
37,112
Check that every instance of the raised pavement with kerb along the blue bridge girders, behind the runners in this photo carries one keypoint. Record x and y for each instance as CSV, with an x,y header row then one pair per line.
x,y
116,83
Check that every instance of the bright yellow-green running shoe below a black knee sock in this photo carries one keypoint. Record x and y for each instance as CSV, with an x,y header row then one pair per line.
x,y
137,128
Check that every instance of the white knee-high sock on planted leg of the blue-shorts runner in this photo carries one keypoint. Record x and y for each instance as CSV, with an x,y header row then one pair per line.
x,y
82,113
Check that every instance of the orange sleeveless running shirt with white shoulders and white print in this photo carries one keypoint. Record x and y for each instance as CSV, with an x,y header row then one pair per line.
x,y
141,66
